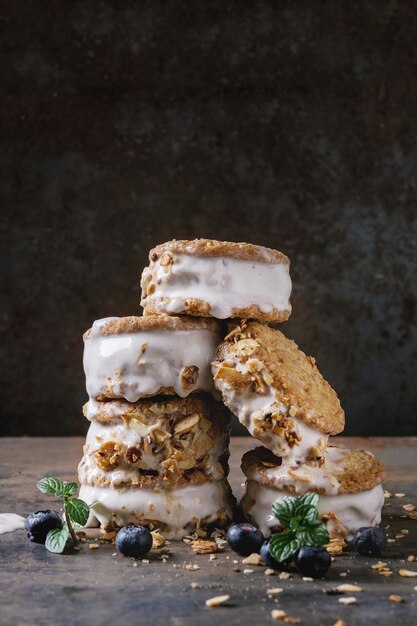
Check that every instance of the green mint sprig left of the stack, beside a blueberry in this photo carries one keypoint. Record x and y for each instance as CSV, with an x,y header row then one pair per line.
x,y
75,511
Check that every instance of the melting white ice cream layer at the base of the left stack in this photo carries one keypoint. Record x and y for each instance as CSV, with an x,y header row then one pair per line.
x,y
179,509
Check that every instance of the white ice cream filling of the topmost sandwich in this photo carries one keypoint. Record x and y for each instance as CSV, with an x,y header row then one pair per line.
x,y
224,283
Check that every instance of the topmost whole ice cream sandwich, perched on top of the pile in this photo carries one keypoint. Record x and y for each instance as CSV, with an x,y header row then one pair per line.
x,y
221,279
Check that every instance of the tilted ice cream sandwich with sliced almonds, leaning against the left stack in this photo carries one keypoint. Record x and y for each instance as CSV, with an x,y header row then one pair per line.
x,y
277,392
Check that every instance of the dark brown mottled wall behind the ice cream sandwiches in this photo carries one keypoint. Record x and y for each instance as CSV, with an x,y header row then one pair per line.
x,y
289,124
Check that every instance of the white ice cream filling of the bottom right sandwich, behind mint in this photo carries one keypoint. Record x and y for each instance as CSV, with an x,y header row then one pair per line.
x,y
353,510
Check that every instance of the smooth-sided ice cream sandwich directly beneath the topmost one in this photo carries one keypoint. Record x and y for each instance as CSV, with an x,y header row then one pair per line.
x,y
136,357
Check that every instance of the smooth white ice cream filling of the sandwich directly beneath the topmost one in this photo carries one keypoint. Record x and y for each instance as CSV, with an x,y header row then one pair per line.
x,y
139,364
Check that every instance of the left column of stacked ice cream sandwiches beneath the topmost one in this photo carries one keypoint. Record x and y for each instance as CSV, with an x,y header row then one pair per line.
x,y
157,449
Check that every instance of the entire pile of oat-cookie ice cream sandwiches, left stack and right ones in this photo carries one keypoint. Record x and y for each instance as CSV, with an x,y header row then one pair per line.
x,y
157,448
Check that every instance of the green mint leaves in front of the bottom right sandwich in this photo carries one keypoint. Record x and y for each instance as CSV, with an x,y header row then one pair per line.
x,y
300,518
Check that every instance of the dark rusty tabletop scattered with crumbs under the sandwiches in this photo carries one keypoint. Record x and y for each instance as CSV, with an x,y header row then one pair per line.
x,y
101,587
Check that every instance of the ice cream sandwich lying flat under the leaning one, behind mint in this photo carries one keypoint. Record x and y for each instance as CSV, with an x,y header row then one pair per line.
x,y
349,484
